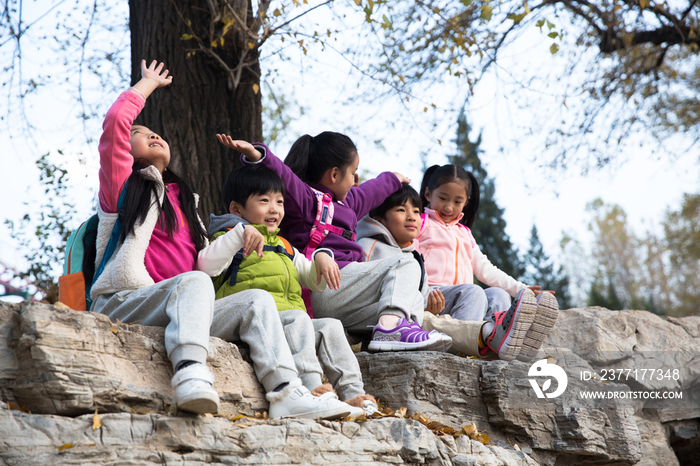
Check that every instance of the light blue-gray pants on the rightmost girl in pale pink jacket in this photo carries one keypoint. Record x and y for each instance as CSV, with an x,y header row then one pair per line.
x,y
473,303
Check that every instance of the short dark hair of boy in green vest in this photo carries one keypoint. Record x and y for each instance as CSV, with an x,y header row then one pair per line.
x,y
248,181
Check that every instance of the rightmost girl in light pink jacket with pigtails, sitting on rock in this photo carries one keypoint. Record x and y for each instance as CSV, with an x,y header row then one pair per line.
x,y
450,198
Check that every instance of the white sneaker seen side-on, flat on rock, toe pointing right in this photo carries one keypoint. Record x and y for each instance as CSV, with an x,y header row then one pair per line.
x,y
297,401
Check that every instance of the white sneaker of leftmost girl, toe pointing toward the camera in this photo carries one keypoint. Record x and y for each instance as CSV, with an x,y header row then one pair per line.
x,y
193,390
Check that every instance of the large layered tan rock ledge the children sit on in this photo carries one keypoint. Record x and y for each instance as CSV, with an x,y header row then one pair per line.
x,y
63,365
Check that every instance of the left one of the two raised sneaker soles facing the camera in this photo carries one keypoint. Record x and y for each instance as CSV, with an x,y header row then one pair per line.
x,y
512,326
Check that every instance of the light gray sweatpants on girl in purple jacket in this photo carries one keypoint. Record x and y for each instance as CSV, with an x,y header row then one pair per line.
x,y
369,290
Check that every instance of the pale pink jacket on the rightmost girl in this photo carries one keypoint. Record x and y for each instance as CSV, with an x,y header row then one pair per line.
x,y
452,257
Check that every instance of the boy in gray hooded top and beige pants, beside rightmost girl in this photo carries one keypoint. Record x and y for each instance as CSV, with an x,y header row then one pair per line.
x,y
391,229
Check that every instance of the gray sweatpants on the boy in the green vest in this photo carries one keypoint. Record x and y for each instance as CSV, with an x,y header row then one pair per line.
x,y
311,340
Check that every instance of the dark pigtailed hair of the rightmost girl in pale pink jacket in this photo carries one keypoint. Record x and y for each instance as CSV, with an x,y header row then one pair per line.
x,y
437,175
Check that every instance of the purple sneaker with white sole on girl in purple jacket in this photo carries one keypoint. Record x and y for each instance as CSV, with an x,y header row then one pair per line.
x,y
408,336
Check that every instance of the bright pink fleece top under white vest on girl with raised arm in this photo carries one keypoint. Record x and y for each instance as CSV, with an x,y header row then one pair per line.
x,y
165,257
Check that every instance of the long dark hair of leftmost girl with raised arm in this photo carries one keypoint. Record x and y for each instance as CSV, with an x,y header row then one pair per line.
x,y
138,199
